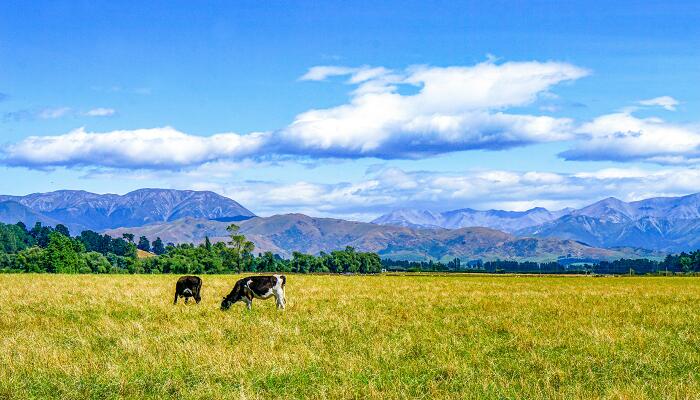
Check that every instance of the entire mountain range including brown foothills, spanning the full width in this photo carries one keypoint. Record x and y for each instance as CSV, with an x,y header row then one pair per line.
x,y
609,228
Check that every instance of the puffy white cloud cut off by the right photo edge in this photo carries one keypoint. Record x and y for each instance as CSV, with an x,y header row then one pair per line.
x,y
625,137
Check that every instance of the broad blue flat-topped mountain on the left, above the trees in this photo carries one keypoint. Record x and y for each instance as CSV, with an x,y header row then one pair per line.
x,y
76,208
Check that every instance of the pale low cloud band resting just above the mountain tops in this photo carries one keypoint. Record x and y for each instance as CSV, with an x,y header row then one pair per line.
x,y
391,188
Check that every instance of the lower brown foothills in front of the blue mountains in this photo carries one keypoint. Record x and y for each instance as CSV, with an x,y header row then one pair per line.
x,y
283,234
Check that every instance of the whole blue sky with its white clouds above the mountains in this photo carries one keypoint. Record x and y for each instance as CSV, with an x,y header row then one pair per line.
x,y
352,109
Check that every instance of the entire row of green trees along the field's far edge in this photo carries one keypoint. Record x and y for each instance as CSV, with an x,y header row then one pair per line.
x,y
54,250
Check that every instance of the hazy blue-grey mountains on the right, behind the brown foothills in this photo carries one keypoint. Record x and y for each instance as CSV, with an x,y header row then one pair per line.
x,y
669,224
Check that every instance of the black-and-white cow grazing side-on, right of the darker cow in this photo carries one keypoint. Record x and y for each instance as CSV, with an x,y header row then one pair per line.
x,y
256,287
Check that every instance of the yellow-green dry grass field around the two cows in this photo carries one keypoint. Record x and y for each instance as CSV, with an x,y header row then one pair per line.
x,y
352,337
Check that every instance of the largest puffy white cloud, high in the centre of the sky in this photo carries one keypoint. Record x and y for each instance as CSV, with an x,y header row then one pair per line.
x,y
453,109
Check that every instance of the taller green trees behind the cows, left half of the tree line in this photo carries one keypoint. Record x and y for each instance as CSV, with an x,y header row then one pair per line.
x,y
54,250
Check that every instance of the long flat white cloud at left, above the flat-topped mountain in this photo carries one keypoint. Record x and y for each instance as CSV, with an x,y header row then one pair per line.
x,y
158,148
